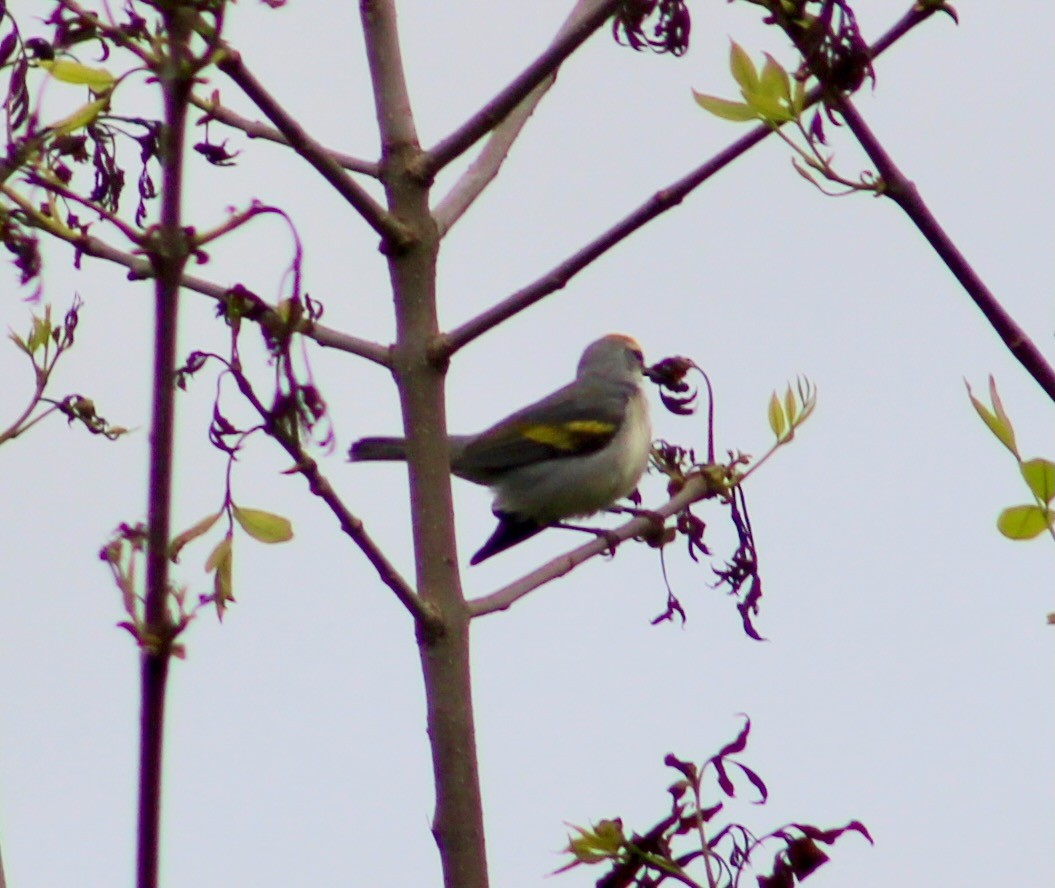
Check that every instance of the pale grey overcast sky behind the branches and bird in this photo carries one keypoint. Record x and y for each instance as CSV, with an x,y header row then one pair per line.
x,y
907,677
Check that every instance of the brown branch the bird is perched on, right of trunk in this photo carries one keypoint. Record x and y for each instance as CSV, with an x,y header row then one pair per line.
x,y
697,488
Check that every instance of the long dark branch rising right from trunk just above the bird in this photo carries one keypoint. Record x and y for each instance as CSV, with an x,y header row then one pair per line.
x,y
559,277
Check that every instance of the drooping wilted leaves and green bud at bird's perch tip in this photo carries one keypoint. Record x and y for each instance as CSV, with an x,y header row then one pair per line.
x,y
725,481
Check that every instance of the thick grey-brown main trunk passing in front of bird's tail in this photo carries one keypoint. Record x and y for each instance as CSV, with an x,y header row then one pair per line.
x,y
458,822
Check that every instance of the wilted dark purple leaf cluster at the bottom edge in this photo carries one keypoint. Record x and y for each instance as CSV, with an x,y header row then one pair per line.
x,y
688,847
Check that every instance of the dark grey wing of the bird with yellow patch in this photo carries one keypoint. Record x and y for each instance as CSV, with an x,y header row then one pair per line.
x,y
574,421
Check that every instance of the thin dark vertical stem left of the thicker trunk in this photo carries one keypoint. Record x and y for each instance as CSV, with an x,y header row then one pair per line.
x,y
168,255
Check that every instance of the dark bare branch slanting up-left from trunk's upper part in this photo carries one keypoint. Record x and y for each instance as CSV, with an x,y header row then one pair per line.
x,y
395,234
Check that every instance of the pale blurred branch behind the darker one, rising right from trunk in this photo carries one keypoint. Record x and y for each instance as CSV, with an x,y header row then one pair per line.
x,y
486,167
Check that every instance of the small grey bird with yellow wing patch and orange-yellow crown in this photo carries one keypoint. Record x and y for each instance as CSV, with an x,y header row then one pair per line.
x,y
570,455
